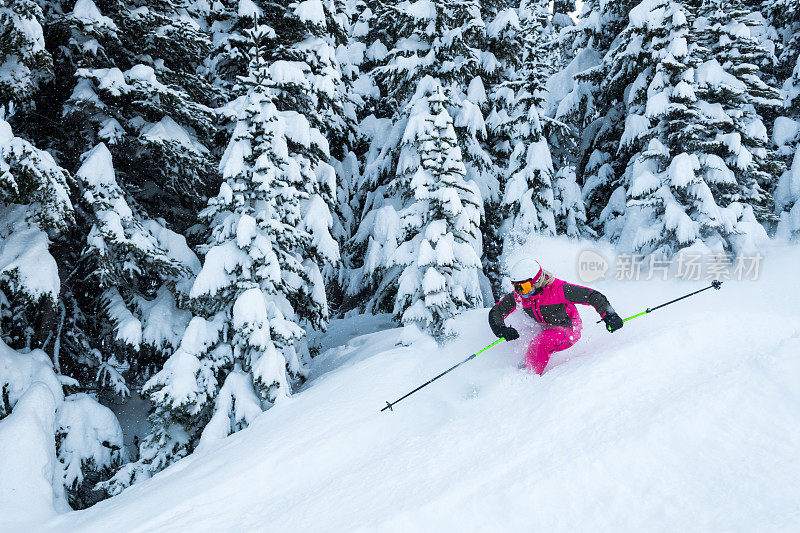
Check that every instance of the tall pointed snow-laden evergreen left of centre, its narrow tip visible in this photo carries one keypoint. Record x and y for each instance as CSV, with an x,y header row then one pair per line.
x,y
269,223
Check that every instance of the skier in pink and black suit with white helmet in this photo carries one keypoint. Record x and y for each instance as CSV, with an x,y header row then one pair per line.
x,y
551,302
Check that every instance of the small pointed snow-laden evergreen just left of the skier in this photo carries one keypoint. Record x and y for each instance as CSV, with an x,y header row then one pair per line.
x,y
437,259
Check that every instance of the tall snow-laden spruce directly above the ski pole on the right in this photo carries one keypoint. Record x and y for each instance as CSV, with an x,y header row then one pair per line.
x,y
669,206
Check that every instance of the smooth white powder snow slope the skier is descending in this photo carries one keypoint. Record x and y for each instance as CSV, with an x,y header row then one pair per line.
x,y
686,419
